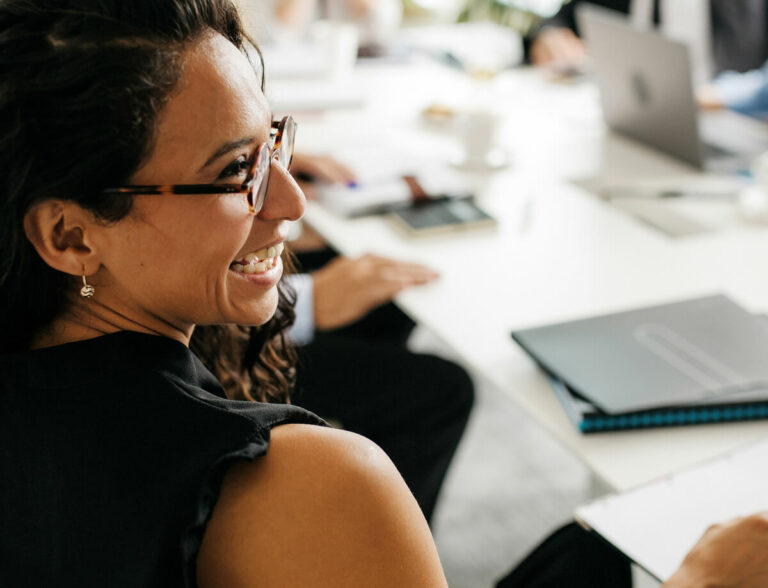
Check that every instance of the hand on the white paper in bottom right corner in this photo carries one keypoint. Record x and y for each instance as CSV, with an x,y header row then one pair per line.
x,y
728,555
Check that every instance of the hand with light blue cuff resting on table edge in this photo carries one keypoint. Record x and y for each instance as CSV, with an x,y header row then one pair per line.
x,y
347,289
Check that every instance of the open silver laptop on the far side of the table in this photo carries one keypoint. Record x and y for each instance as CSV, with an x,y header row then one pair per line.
x,y
647,93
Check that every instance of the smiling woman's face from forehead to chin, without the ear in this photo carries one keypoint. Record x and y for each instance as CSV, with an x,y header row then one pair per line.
x,y
173,261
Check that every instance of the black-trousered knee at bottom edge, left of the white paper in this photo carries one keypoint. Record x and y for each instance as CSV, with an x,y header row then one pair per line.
x,y
571,558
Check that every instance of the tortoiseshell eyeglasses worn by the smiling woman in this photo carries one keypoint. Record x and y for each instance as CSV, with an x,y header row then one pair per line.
x,y
254,188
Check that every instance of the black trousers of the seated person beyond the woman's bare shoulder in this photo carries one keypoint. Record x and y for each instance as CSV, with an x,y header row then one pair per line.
x,y
414,406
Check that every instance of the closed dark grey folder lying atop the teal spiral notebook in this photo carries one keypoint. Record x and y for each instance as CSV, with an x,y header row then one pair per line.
x,y
679,354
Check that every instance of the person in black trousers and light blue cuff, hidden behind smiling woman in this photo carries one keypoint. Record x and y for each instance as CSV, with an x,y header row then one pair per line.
x,y
384,391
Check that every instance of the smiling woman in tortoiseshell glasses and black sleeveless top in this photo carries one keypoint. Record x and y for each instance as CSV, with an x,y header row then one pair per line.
x,y
143,193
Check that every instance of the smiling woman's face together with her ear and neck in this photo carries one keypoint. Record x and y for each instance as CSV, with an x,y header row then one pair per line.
x,y
138,259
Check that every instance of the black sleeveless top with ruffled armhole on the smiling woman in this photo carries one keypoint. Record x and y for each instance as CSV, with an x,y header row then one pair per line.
x,y
112,451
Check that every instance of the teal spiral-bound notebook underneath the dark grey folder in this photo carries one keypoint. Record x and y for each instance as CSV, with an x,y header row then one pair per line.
x,y
587,418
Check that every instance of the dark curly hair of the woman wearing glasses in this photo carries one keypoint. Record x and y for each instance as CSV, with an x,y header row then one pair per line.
x,y
81,85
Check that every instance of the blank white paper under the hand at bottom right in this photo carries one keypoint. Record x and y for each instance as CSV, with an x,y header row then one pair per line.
x,y
656,524
